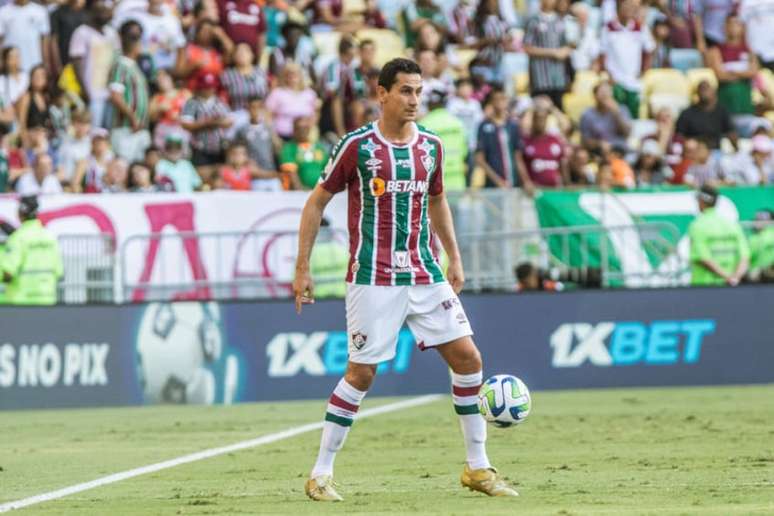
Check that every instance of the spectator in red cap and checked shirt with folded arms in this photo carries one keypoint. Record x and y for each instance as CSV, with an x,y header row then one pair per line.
x,y
206,117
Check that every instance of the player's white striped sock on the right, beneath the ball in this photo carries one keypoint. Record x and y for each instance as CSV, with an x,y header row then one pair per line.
x,y
465,395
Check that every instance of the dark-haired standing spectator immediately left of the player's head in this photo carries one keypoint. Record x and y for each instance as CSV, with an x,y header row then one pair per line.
x,y
342,84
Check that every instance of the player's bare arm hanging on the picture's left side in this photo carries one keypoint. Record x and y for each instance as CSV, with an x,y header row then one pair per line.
x,y
303,288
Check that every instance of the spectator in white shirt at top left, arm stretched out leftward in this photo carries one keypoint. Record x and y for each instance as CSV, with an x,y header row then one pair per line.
x,y
162,34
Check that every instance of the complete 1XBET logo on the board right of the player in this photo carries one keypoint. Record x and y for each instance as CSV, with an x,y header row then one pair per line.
x,y
627,343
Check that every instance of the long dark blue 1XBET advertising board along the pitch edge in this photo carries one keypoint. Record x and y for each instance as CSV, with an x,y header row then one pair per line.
x,y
230,352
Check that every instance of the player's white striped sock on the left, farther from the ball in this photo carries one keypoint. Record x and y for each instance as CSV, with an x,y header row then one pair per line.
x,y
342,407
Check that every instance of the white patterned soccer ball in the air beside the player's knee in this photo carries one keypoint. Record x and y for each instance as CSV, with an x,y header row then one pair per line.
x,y
504,400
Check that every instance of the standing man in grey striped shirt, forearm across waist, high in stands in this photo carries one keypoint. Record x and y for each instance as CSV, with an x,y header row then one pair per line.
x,y
546,45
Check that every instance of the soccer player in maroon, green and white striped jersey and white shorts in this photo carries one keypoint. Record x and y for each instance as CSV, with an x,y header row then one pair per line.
x,y
392,171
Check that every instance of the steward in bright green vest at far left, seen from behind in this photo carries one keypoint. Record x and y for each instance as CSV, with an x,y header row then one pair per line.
x,y
31,264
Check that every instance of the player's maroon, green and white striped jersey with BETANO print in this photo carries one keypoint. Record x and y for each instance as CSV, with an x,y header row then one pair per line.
x,y
388,187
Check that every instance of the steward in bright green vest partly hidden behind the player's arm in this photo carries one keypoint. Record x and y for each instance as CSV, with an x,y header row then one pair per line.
x,y
328,264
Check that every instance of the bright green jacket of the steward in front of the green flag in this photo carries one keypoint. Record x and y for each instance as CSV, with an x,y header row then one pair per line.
x,y
714,237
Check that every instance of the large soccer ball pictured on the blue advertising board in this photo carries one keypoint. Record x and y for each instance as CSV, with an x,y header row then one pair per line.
x,y
176,344
